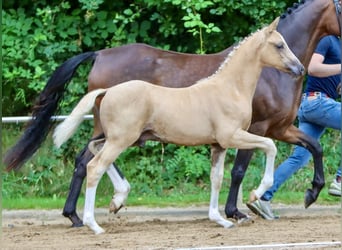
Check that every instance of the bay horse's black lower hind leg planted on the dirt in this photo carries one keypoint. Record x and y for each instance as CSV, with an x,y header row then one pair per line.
x,y
78,176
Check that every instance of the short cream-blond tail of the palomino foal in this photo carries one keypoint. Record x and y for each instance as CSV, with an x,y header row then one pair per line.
x,y
68,127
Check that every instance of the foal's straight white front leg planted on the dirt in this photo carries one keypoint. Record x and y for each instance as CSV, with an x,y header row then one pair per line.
x,y
216,176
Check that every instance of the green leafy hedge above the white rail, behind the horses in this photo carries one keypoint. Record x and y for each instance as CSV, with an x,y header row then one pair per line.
x,y
39,36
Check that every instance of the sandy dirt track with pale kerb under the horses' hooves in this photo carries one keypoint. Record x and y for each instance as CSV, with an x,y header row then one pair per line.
x,y
172,228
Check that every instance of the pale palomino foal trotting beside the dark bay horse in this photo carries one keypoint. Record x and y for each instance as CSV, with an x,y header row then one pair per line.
x,y
216,111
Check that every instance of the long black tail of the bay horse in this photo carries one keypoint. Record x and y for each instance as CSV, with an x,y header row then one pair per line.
x,y
45,106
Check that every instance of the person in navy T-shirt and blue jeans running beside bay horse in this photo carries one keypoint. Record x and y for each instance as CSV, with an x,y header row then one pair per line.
x,y
318,110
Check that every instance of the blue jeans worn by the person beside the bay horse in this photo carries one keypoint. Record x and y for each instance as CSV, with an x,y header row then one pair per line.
x,y
315,115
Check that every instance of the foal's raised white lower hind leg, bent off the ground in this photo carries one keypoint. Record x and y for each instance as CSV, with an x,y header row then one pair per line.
x,y
121,189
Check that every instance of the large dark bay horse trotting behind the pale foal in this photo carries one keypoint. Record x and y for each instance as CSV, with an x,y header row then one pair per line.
x,y
274,108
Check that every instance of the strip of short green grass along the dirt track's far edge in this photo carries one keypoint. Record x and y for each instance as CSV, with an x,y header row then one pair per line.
x,y
176,199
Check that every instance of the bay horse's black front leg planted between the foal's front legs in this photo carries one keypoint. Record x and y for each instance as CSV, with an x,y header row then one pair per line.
x,y
241,163
